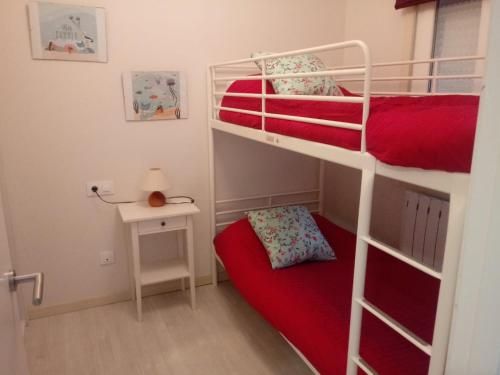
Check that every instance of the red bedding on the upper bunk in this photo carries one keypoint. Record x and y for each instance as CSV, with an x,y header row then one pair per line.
x,y
433,132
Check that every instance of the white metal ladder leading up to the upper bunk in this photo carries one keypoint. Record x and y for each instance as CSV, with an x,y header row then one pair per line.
x,y
438,349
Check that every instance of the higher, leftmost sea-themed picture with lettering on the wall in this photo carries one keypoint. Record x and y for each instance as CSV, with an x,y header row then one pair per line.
x,y
67,32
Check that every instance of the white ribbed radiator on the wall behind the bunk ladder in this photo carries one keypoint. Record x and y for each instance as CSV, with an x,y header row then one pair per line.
x,y
423,230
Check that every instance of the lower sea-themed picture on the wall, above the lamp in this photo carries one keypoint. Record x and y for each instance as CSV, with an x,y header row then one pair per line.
x,y
155,95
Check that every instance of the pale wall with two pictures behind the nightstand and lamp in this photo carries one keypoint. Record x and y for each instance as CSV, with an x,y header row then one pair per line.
x,y
63,124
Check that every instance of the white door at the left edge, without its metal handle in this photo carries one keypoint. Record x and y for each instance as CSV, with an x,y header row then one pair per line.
x,y
12,354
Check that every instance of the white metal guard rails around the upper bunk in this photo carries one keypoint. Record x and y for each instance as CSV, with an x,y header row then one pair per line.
x,y
423,71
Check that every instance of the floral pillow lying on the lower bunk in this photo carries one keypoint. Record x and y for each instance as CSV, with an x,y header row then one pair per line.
x,y
290,235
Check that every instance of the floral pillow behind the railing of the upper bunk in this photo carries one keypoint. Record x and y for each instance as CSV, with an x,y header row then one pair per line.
x,y
299,86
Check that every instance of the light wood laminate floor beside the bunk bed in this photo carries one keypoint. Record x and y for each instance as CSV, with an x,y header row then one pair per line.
x,y
223,336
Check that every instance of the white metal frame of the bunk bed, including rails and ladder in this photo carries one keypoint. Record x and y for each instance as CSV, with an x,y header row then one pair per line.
x,y
454,184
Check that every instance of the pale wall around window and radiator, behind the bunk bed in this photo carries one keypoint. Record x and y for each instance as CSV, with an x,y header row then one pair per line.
x,y
389,35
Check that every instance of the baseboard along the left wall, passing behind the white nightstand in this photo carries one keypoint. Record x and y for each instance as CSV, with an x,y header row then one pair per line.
x,y
147,291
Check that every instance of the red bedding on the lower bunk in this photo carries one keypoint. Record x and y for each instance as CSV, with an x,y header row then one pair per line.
x,y
310,303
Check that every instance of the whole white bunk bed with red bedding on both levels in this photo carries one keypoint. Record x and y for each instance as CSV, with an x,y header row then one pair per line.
x,y
386,135
